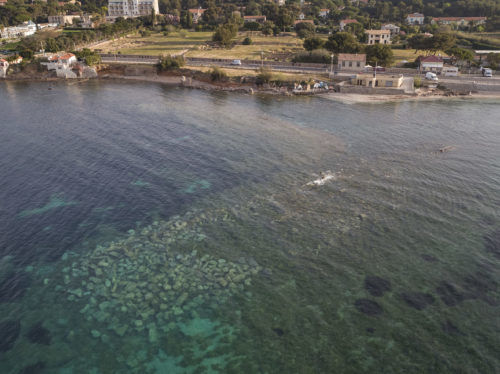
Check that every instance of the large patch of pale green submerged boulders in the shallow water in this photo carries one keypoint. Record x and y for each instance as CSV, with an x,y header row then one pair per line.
x,y
145,281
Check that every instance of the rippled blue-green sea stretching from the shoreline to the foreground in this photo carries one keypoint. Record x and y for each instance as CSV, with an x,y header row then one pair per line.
x,y
146,229
